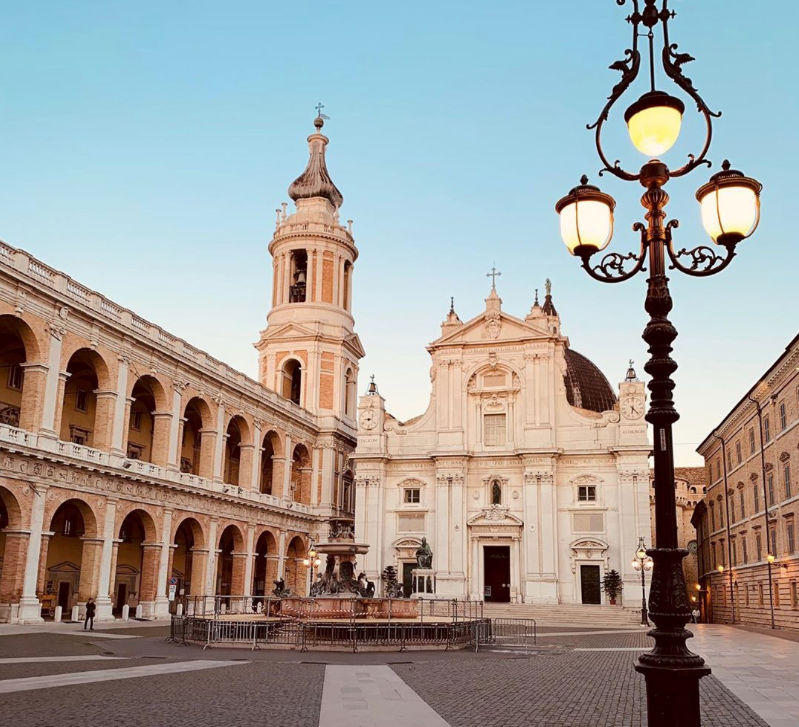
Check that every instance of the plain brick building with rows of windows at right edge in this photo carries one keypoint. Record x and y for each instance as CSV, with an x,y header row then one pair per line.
x,y
748,562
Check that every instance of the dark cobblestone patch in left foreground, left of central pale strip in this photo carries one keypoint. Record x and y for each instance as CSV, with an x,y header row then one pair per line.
x,y
283,695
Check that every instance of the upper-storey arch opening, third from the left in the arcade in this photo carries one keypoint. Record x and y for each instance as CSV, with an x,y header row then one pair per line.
x,y
148,421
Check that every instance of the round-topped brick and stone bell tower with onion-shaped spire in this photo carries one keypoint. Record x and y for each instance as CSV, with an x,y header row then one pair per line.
x,y
309,351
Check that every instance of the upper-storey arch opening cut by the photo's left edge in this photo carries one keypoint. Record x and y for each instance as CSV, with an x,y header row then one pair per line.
x,y
21,388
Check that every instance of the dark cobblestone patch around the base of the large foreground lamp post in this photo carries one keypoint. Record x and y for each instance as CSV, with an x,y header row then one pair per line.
x,y
570,689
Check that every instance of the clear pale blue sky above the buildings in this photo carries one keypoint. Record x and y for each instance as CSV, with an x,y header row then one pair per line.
x,y
144,147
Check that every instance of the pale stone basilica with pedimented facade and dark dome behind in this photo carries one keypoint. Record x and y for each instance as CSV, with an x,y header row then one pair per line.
x,y
528,473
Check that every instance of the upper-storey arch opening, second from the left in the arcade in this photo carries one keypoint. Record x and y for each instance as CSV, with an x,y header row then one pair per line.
x,y
87,402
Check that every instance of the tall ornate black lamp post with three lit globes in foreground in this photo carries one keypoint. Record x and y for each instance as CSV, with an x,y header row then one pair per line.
x,y
730,211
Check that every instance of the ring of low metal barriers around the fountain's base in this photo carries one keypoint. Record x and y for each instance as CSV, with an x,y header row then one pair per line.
x,y
345,635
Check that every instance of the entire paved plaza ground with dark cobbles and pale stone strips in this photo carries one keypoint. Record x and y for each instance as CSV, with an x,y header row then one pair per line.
x,y
578,677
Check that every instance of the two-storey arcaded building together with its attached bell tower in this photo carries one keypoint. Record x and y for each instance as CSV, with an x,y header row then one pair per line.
x,y
129,458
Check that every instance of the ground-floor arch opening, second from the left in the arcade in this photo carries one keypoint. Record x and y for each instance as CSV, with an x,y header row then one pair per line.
x,y
72,558
